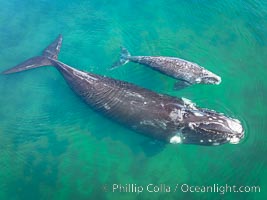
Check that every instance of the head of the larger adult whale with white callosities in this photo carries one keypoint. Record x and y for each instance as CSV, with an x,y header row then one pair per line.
x,y
207,127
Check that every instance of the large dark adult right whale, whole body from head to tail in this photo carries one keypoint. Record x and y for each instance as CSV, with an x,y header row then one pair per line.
x,y
162,117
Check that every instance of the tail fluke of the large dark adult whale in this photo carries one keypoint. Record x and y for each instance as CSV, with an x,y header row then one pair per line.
x,y
49,54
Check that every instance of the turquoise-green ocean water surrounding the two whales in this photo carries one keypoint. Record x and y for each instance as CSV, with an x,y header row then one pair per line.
x,y
53,146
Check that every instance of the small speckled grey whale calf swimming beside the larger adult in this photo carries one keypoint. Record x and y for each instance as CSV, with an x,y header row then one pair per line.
x,y
187,73
